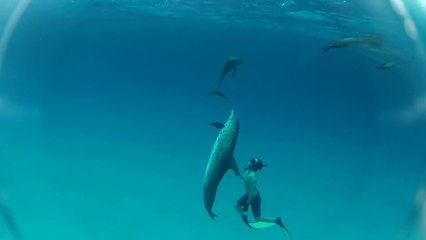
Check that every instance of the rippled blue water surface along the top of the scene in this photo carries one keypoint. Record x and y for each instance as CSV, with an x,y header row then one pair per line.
x,y
321,18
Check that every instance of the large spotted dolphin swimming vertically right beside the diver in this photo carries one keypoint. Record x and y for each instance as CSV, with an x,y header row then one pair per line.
x,y
220,161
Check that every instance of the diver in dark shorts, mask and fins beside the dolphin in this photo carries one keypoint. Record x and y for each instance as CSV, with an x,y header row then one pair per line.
x,y
252,198
